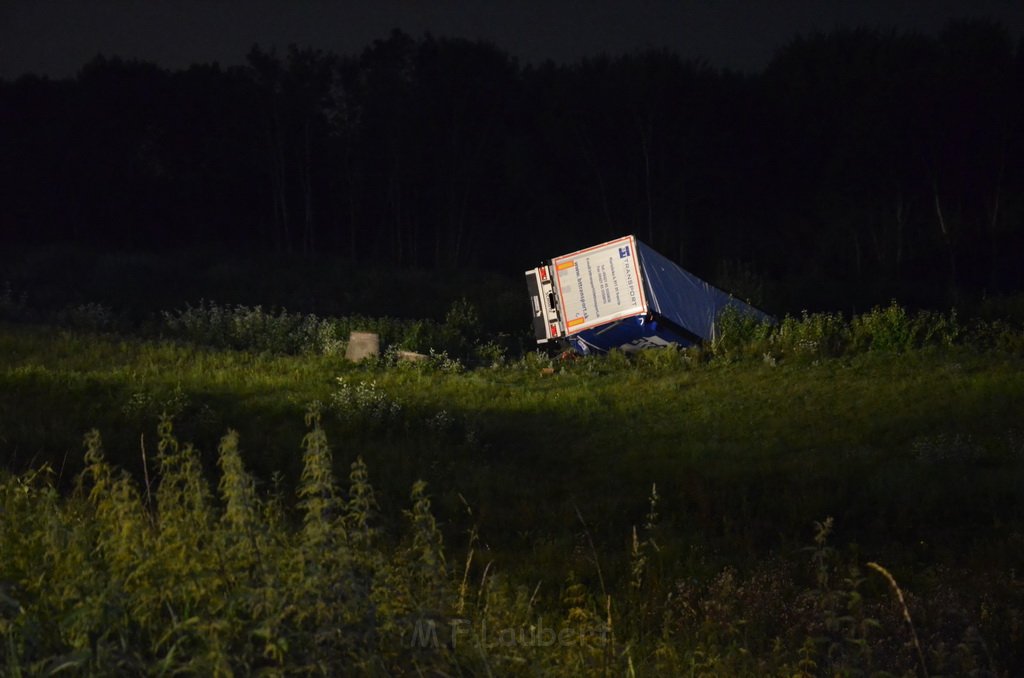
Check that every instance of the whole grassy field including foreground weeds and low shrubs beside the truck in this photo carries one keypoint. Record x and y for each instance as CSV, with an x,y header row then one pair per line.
x,y
779,474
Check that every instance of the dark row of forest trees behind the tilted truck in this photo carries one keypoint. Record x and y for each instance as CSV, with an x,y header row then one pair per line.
x,y
857,163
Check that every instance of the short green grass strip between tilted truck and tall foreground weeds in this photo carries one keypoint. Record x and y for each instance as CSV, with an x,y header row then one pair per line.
x,y
869,439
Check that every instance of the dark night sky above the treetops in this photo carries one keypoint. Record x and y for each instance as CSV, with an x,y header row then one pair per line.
x,y
57,37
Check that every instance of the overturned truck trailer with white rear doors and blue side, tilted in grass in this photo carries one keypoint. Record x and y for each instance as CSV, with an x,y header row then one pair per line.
x,y
623,294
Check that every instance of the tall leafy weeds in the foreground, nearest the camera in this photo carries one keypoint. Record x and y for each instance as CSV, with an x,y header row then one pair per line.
x,y
115,580
